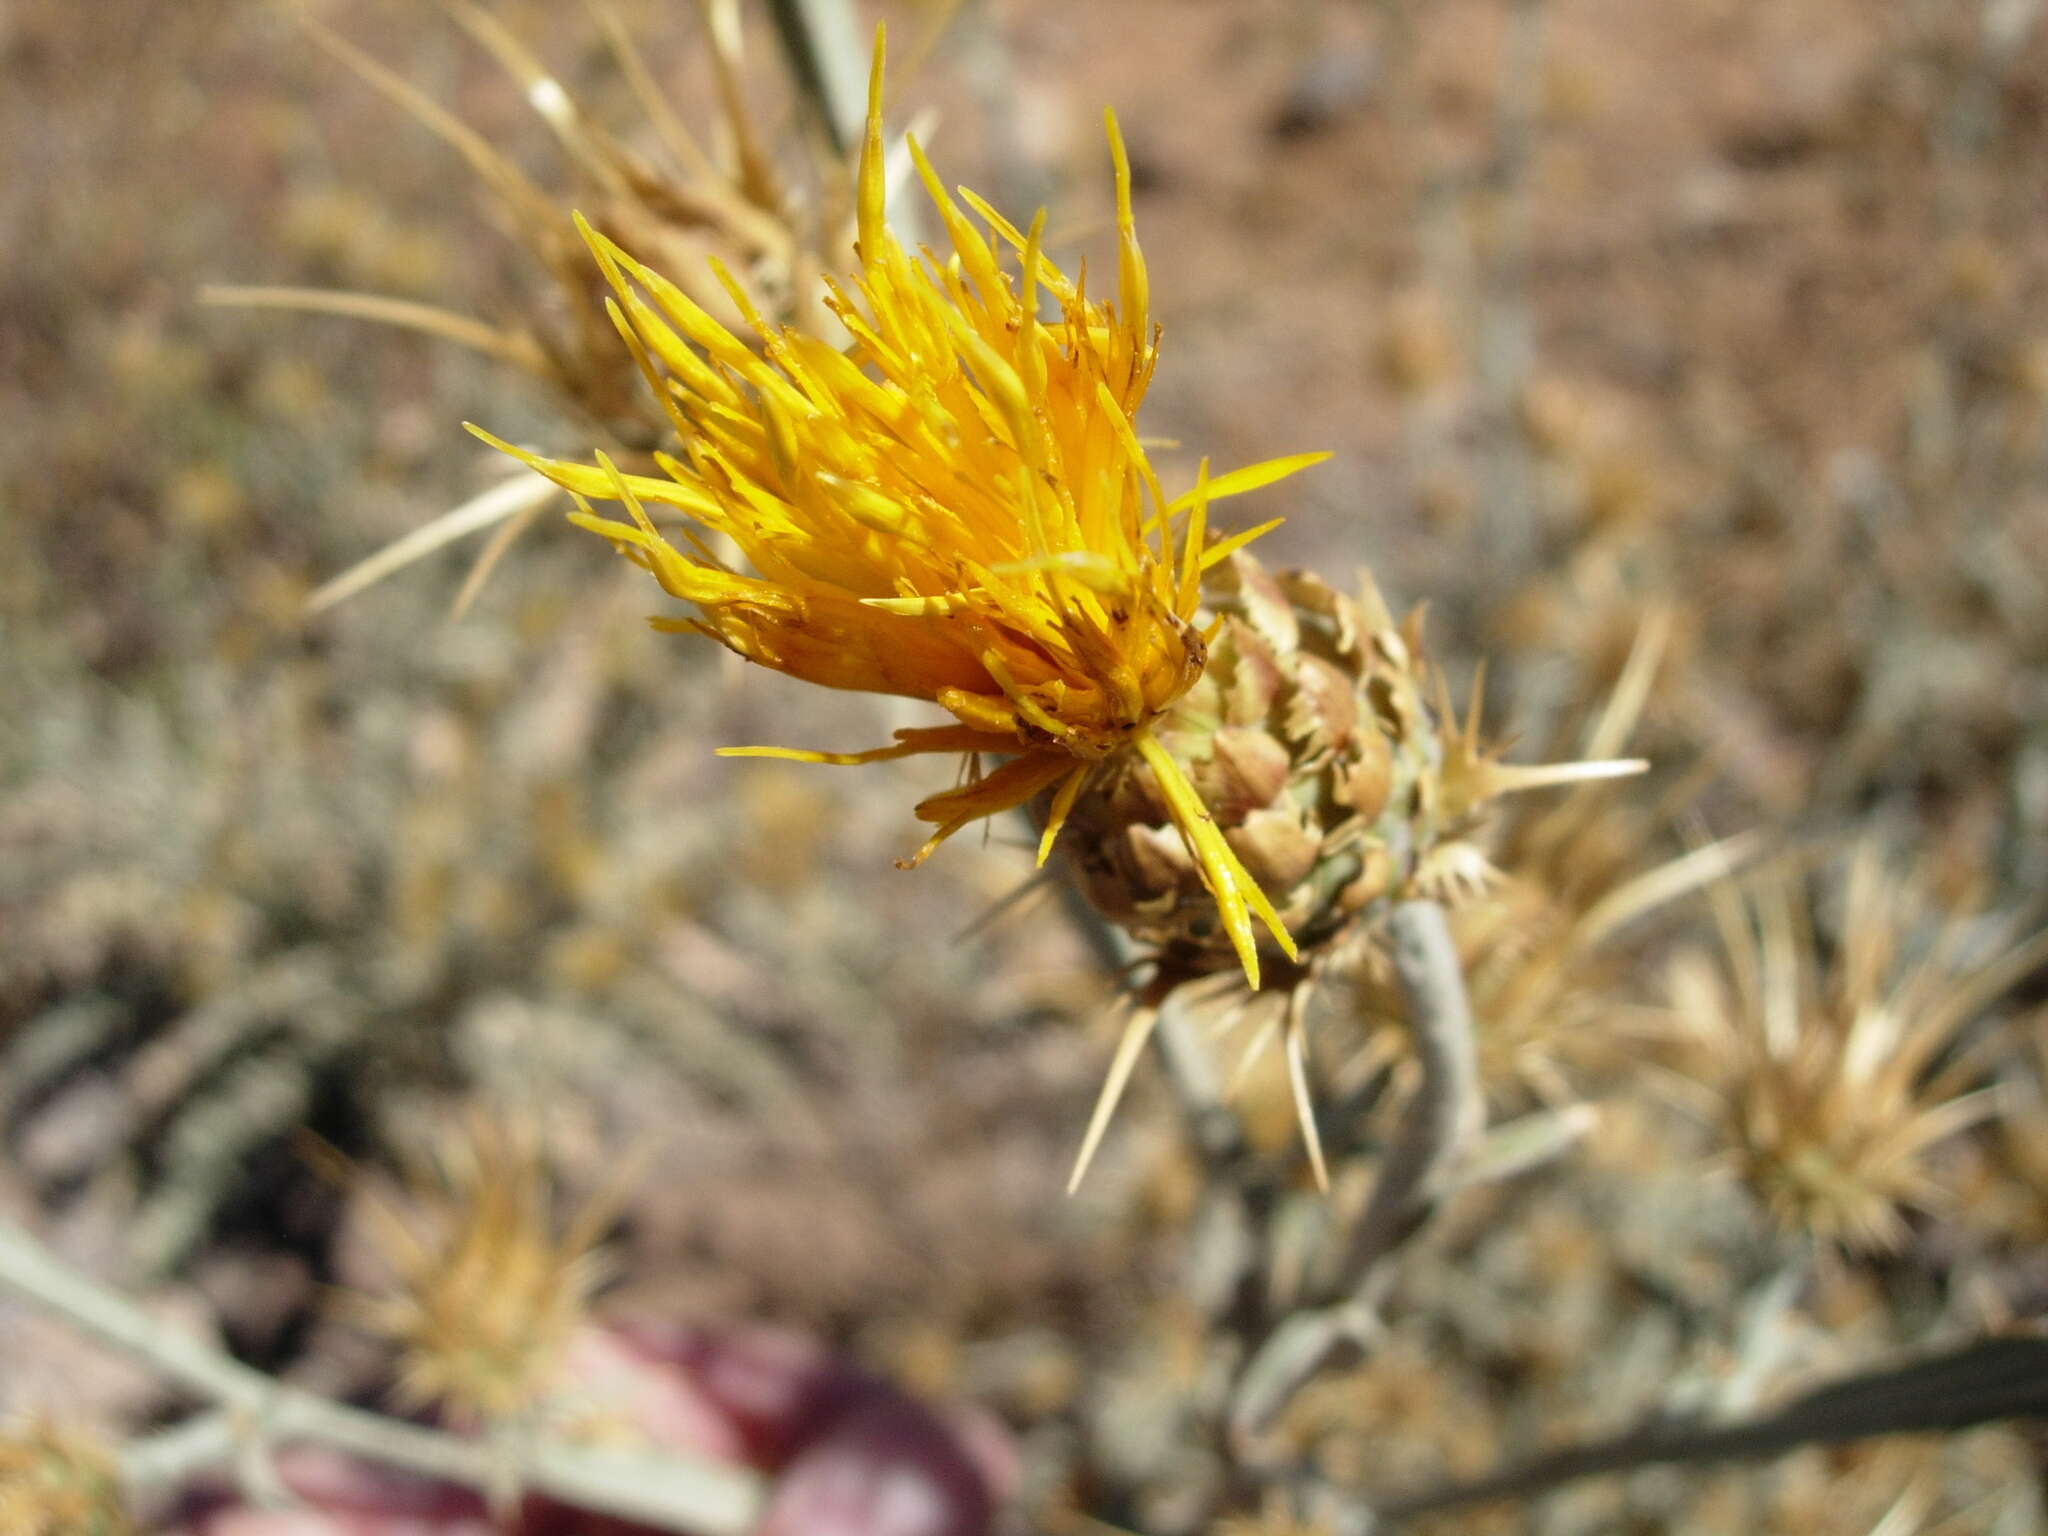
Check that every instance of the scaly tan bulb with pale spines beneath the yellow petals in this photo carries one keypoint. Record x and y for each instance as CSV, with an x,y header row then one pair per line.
x,y
1324,746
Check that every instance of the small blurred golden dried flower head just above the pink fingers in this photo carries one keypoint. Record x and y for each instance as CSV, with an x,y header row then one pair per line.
x,y
488,1287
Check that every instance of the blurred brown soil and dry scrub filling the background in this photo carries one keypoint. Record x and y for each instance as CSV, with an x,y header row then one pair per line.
x,y
1721,316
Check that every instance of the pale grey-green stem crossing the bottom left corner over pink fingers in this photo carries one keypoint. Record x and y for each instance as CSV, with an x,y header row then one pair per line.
x,y
667,1492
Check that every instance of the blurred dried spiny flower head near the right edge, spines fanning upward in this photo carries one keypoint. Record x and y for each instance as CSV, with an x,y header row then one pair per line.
x,y
1836,1074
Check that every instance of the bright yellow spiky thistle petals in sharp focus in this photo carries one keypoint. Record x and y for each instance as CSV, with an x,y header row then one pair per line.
x,y
955,509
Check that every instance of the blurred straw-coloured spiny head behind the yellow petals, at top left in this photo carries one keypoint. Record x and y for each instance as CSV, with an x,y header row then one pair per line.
x,y
744,228
